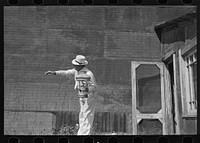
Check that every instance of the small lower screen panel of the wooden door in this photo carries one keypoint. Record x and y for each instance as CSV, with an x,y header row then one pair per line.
x,y
149,127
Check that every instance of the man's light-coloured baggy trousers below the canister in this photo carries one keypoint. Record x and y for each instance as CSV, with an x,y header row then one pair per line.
x,y
86,115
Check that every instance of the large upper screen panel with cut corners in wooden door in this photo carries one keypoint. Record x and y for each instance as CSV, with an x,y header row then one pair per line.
x,y
148,92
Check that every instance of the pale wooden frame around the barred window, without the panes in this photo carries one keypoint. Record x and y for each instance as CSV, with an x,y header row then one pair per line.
x,y
185,80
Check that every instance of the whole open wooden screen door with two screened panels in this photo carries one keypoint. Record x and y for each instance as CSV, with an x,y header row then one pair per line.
x,y
148,100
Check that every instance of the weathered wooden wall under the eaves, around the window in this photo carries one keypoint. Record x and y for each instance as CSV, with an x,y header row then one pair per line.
x,y
171,41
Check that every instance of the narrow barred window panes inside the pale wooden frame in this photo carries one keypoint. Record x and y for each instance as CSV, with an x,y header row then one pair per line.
x,y
191,73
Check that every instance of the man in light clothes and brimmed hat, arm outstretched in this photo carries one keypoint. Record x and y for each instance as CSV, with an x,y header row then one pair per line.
x,y
87,105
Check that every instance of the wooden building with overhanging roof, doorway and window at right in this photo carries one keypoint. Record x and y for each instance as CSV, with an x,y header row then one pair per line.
x,y
178,39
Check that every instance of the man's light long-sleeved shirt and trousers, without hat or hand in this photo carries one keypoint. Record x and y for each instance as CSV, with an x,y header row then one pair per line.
x,y
87,105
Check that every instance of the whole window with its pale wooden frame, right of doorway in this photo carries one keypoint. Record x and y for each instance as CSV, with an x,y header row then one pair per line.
x,y
188,80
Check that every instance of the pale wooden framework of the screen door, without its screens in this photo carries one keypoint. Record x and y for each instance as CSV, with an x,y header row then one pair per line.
x,y
136,116
